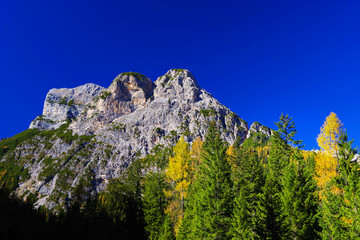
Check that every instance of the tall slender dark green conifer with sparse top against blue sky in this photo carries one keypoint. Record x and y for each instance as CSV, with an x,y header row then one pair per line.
x,y
273,222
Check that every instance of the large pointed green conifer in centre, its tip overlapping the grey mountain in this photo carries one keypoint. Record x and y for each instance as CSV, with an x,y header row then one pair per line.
x,y
210,203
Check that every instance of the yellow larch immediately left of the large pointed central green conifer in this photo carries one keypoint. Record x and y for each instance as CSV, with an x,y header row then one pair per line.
x,y
178,175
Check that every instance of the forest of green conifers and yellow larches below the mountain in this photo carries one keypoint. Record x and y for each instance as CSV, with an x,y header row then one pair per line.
x,y
208,189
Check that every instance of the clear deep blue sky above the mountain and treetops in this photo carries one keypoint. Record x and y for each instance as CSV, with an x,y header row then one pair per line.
x,y
259,58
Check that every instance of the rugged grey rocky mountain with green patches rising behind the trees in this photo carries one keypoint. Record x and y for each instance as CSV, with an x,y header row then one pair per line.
x,y
90,134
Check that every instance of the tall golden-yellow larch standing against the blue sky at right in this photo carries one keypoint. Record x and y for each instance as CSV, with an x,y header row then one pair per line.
x,y
326,162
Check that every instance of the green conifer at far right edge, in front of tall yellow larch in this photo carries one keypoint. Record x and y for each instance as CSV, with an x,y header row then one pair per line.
x,y
340,216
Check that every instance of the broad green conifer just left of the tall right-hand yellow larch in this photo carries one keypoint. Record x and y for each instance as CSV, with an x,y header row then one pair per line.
x,y
299,199
